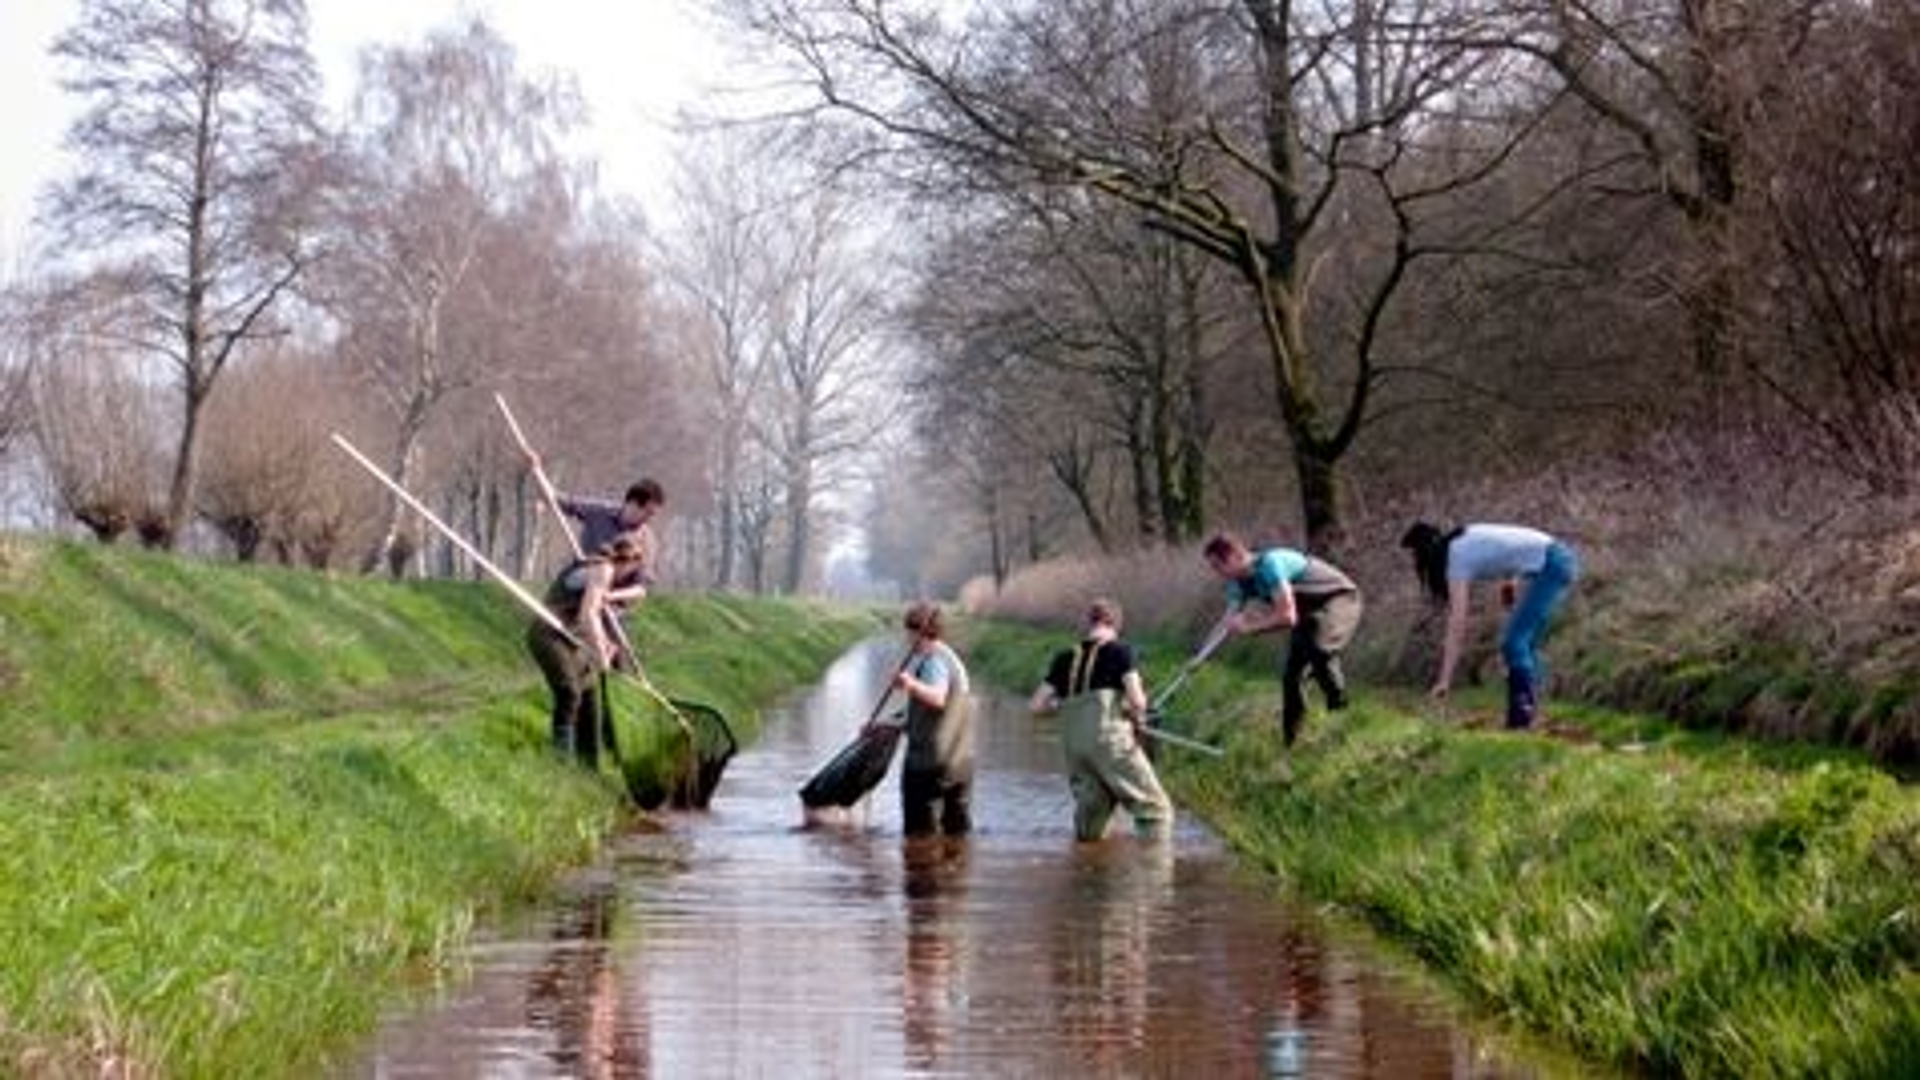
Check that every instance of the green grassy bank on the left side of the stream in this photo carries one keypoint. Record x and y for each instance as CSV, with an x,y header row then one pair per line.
x,y
243,808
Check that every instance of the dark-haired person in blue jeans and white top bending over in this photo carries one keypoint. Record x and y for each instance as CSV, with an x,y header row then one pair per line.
x,y
1535,572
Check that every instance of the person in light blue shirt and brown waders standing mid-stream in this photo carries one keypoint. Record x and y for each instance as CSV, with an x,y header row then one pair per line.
x,y
938,775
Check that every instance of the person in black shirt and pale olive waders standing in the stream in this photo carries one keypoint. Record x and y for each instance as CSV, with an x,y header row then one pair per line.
x,y
1103,699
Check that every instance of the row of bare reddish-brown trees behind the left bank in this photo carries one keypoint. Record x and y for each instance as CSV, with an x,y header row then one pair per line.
x,y
231,276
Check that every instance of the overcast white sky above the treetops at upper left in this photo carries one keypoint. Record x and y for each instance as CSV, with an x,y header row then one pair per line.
x,y
636,61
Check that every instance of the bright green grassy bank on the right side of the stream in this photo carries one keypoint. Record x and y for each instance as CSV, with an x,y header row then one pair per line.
x,y
1702,906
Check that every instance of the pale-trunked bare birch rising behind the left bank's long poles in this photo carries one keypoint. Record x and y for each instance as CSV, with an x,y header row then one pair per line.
x,y
450,143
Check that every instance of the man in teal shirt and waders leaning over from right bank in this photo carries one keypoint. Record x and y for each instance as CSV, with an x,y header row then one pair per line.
x,y
1282,589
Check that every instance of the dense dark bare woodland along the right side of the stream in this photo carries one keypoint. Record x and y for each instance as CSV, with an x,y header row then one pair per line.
x,y
1197,260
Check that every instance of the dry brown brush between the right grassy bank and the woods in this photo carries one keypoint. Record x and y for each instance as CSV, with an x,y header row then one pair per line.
x,y
1771,599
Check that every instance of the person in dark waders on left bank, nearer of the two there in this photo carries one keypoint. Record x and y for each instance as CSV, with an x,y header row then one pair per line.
x,y
579,597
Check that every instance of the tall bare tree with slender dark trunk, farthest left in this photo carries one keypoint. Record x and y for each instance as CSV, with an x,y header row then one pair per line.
x,y
199,153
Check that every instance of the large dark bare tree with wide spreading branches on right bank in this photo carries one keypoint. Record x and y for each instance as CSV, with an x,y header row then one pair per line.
x,y
1291,120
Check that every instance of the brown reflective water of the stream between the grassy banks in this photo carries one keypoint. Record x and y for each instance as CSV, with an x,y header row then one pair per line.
x,y
738,943
